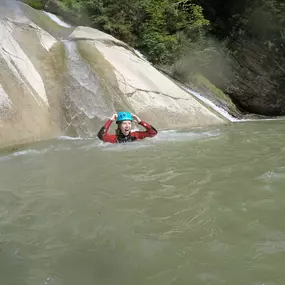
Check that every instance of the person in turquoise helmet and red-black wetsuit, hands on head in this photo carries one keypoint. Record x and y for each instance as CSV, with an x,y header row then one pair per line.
x,y
123,132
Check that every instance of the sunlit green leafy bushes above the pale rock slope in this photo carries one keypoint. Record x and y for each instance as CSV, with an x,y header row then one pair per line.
x,y
156,27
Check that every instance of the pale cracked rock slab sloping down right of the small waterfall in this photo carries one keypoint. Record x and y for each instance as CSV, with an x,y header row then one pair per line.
x,y
144,89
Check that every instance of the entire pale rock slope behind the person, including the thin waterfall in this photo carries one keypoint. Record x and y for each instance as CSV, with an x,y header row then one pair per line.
x,y
50,85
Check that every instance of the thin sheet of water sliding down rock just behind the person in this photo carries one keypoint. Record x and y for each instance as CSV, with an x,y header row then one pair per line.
x,y
84,98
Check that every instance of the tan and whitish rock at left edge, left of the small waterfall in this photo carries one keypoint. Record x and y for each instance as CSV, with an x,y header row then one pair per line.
x,y
25,59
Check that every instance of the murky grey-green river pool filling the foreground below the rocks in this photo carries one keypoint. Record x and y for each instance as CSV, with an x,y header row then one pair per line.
x,y
204,206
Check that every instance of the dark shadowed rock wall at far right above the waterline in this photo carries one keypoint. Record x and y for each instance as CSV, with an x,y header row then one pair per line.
x,y
259,83
